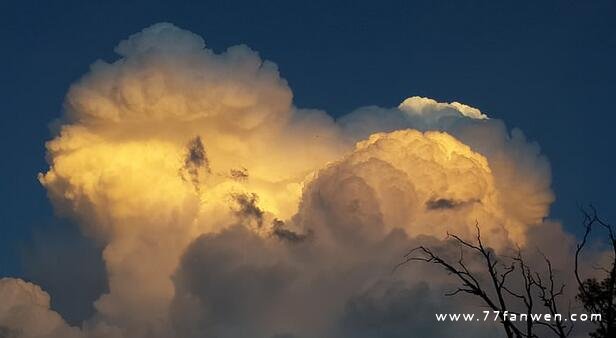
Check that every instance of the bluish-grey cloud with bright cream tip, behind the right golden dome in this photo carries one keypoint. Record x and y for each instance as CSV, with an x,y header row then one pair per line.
x,y
522,175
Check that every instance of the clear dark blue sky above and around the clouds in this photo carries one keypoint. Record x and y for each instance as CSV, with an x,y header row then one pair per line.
x,y
546,67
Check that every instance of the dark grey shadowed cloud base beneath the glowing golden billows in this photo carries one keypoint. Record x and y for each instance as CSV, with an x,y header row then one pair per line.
x,y
237,284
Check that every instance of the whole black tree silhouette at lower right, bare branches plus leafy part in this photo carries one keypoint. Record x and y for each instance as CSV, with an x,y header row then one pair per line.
x,y
509,285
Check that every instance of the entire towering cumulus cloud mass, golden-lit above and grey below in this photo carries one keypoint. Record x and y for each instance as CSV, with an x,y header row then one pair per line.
x,y
225,211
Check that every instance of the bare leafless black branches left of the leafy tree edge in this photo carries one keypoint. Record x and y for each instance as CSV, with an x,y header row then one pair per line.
x,y
498,271
